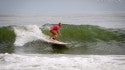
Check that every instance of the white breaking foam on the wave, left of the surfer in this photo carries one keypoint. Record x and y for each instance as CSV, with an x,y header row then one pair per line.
x,y
28,33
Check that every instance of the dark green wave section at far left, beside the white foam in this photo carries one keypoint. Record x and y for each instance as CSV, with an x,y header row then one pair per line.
x,y
7,38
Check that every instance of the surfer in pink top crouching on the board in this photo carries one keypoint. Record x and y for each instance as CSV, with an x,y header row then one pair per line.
x,y
54,30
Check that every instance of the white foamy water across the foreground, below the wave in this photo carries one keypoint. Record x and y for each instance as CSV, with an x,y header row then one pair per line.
x,y
61,62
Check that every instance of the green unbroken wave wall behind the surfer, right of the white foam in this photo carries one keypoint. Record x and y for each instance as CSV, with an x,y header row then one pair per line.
x,y
87,33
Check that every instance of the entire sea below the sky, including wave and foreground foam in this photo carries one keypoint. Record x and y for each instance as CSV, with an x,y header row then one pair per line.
x,y
96,41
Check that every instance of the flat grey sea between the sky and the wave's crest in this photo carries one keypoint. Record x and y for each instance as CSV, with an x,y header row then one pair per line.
x,y
108,19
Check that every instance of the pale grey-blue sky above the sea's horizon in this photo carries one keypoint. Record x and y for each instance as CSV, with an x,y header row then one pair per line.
x,y
60,6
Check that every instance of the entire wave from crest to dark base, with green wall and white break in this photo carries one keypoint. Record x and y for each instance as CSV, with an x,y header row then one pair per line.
x,y
83,39
